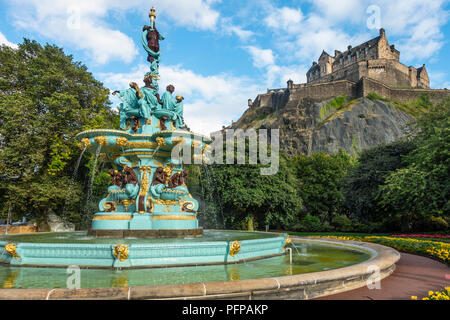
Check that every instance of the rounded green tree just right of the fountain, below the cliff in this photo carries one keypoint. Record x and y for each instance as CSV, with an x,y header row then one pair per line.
x,y
241,196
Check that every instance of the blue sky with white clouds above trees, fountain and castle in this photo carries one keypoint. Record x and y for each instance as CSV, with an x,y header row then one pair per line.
x,y
220,53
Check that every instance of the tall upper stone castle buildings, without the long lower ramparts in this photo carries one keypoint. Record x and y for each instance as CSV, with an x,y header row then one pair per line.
x,y
374,59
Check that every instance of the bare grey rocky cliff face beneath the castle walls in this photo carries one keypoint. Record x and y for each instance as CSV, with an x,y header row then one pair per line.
x,y
307,126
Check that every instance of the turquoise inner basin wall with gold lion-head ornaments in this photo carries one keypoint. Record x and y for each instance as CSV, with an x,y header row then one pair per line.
x,y
136,254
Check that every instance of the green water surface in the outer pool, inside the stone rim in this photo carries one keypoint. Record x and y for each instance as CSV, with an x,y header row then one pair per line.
x,y
307,257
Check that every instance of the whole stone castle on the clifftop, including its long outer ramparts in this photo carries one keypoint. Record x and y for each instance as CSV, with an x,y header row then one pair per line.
x,y
371,67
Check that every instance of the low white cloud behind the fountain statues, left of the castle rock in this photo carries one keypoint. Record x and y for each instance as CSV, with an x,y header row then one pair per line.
x,y
210,101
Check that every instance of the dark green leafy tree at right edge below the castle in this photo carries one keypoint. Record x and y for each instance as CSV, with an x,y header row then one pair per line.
x,y
422,189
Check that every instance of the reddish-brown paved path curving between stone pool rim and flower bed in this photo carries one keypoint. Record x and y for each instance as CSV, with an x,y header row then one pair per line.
x,y
414,276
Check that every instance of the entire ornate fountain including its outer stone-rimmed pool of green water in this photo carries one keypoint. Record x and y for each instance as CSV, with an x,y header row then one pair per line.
x,y
148,220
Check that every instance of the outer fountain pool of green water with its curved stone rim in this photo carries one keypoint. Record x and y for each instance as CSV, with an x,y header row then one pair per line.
x,y
272,278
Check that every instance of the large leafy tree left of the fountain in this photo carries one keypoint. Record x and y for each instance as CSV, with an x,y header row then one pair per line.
x,y
46,98
